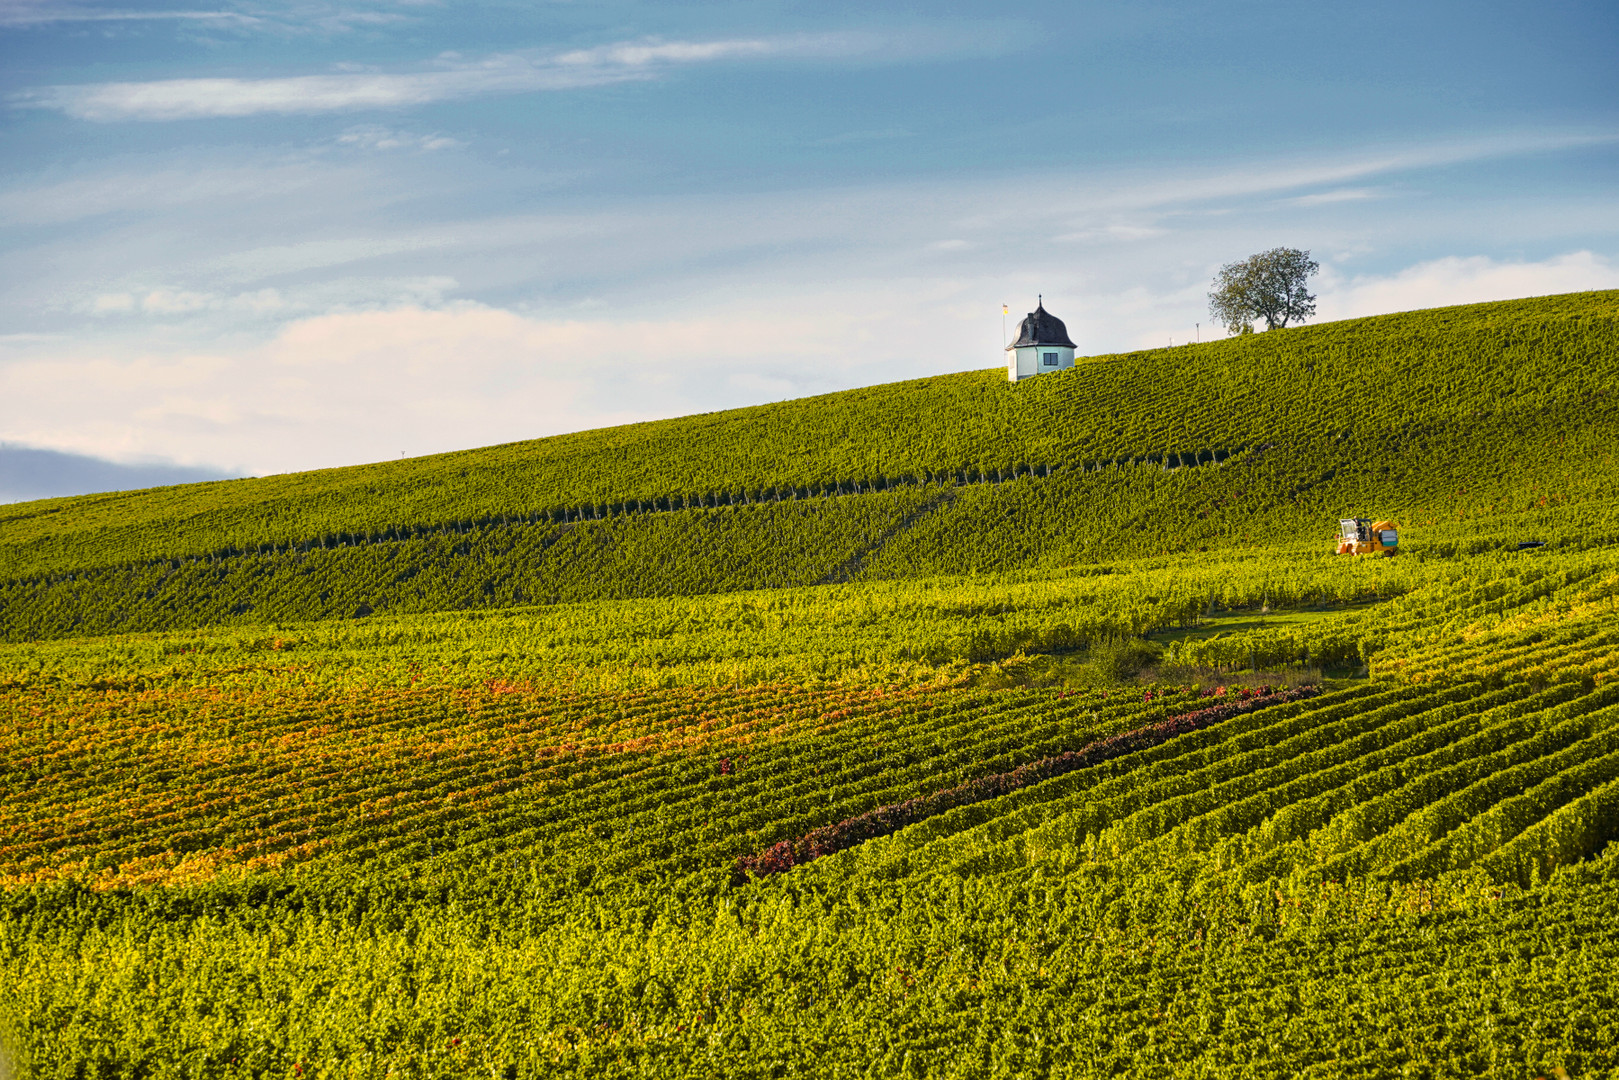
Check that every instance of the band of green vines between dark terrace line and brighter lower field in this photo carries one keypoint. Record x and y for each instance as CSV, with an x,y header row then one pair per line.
x,y
1022,525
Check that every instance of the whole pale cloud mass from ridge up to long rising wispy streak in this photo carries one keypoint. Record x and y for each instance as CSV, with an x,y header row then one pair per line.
x,y
308,341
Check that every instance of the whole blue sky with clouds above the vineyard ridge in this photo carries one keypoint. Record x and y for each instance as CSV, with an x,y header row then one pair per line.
x,y
257,237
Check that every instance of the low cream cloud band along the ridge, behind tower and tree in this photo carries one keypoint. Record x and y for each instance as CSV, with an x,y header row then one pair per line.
x,y
359,386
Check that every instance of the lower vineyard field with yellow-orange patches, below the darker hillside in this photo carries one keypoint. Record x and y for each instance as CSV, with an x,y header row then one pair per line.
x,y
503,841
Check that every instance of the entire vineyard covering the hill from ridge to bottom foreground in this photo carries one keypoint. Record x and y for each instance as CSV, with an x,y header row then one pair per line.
x,y
1081,763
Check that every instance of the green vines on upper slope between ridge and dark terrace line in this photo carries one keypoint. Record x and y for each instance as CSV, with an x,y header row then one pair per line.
x,y
1413,391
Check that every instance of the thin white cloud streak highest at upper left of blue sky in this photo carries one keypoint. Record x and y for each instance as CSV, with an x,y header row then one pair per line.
x,y
449,79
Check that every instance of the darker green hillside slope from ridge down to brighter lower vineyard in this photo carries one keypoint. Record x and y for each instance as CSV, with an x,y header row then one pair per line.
x,y
1460,415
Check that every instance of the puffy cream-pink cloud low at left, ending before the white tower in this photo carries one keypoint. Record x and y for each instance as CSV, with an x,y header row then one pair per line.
x,y
368,386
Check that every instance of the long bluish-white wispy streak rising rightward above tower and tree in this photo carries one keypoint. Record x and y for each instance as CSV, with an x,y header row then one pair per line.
x,y
1053,219
